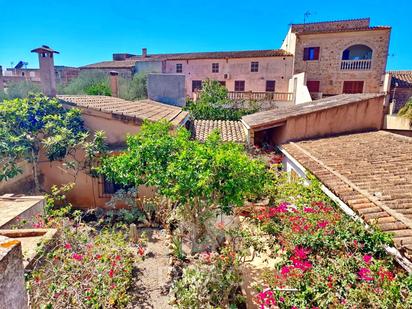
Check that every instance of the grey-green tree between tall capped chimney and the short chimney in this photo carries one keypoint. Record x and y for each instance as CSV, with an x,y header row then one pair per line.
x,y
92,82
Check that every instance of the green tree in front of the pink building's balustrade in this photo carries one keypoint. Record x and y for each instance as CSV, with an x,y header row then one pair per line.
x,y
214,104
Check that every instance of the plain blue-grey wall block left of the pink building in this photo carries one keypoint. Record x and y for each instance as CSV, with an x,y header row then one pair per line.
x,y
167,88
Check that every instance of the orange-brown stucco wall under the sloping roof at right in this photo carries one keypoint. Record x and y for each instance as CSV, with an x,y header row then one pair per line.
x,y
355,117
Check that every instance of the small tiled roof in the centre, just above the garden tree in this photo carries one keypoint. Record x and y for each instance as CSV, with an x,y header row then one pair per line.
x,y
230,131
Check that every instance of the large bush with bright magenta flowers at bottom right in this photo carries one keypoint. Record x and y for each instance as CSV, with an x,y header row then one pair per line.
x,y
326,258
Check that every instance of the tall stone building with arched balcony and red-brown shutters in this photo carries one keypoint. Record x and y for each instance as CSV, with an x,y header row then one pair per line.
x,y
337,57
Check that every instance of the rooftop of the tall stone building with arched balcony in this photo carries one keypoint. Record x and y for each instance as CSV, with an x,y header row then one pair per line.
x,y
361,24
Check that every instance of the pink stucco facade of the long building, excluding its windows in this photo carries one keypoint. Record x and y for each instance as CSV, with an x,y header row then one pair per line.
x,y
270,68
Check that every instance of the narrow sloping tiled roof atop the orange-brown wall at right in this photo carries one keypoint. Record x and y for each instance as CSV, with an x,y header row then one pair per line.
x,y
267,118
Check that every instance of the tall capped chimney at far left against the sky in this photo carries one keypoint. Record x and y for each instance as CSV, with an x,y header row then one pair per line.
x,y
47,73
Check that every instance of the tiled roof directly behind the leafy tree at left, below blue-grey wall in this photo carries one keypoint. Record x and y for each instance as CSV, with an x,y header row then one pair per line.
x,y
136,110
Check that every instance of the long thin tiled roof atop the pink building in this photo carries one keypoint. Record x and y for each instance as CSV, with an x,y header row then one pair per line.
x,y
130,62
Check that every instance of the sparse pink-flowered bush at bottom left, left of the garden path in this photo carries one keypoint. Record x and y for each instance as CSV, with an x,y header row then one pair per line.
x,y
85,269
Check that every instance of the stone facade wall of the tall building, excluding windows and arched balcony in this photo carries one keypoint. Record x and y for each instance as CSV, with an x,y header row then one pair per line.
x,y
328,68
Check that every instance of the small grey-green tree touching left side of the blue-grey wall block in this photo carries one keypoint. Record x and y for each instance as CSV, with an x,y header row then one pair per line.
x,y
134,89
